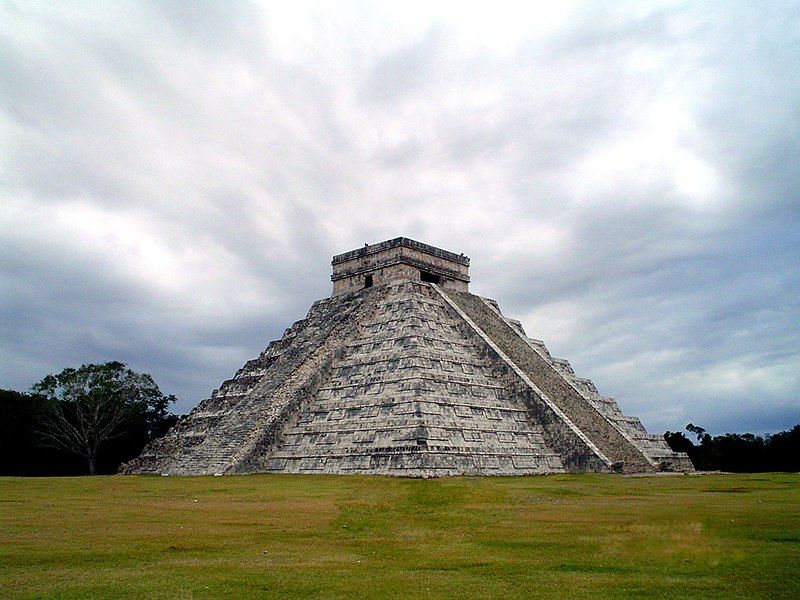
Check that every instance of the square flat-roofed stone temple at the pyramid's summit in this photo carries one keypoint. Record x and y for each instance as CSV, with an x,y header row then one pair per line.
x,y
399,259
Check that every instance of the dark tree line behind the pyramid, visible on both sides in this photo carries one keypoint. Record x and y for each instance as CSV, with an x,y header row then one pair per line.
x,y
93,418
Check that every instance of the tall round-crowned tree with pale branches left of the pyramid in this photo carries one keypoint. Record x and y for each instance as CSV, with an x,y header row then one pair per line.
x,y
87,407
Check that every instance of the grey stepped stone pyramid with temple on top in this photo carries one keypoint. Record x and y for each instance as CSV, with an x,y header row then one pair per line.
x,y
403,372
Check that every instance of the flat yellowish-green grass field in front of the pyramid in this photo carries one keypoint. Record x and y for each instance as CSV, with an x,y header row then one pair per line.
x,y
371,537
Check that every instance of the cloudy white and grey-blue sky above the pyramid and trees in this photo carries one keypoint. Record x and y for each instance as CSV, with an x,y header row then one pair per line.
x,y
175,176
